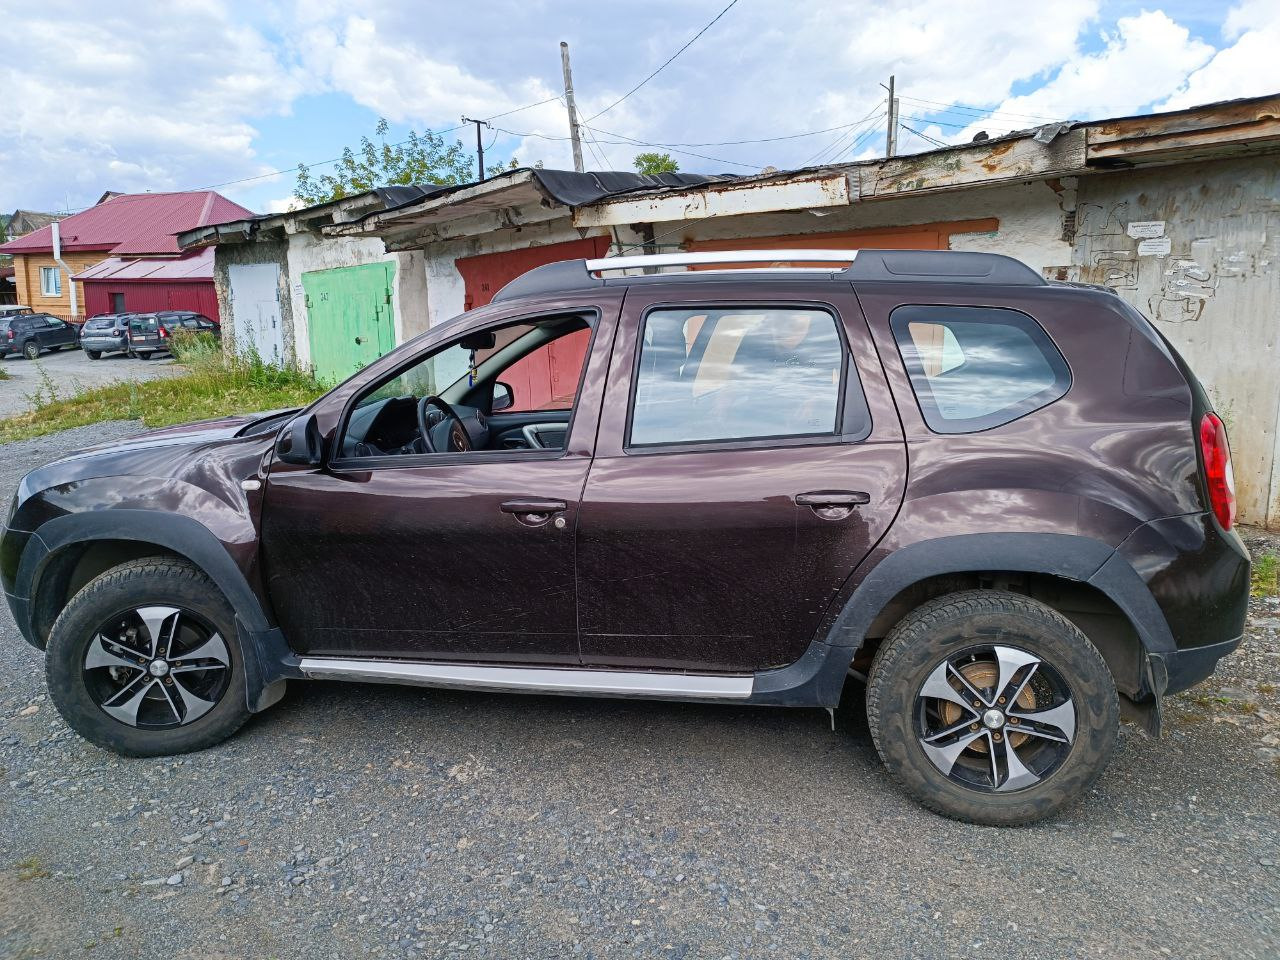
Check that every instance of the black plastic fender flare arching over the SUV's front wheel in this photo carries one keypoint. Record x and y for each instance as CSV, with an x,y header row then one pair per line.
x,y
263,647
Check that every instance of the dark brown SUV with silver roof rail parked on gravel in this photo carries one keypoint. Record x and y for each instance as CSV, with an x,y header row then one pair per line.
x,y
1004,505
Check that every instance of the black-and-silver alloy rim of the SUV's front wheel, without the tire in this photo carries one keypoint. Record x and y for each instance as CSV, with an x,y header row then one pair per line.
x,y
157,668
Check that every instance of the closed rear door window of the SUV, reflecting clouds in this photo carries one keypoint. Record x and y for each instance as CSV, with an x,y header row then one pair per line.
x,y
738,374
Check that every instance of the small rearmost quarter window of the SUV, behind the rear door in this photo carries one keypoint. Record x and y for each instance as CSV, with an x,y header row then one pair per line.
x,y
977,368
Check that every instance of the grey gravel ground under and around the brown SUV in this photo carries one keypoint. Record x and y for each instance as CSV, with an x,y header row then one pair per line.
x,y
363,821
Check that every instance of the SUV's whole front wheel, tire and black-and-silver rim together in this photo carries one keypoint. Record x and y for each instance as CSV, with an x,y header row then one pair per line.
x,y
144,661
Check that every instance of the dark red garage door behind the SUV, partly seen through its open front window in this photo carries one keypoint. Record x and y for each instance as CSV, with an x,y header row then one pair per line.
x,y
547,378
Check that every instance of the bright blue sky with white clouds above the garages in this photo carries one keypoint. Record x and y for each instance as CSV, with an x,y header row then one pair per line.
x,y
226,94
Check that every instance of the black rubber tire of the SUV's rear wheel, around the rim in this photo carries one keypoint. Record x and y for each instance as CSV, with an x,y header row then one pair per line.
x,y
950,628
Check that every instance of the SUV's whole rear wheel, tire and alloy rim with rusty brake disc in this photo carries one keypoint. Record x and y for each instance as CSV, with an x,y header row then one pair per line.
x,y
993,708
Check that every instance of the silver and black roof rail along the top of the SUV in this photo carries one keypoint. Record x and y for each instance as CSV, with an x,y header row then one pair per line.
x,y
862,266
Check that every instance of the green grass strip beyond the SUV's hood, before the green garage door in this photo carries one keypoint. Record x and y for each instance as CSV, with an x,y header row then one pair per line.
x,y
214,386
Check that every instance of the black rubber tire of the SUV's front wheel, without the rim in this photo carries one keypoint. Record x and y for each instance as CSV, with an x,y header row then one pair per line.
x,y
159,582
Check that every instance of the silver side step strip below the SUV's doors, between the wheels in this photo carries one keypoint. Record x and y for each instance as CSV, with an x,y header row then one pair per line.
x,y
533,680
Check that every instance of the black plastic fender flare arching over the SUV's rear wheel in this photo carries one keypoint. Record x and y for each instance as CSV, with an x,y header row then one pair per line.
x,y
819,678
